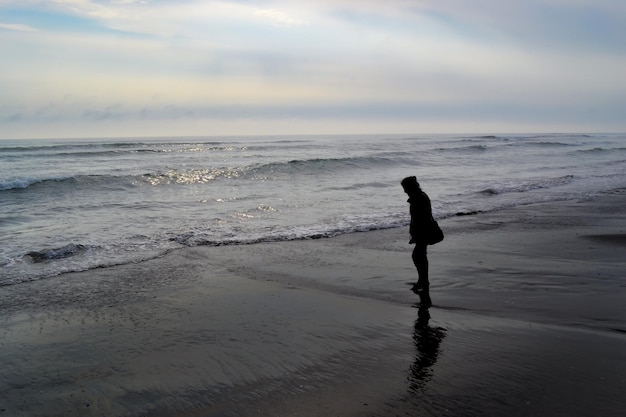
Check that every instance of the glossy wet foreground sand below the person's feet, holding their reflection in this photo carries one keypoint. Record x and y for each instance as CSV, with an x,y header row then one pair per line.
x,y
263,349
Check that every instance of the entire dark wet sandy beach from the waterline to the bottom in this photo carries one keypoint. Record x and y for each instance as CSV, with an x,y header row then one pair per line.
x,y
528,319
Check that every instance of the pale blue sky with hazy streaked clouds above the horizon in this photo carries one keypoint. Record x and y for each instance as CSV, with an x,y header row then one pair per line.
x,y
128,68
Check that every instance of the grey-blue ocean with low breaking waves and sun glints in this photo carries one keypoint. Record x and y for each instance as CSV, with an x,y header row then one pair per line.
x,y
74,205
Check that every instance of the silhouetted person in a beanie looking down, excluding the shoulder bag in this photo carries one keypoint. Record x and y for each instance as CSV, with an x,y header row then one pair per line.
x,y
421,216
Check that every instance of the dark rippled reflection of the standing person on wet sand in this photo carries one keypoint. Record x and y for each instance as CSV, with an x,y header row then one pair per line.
x,y
427,340
